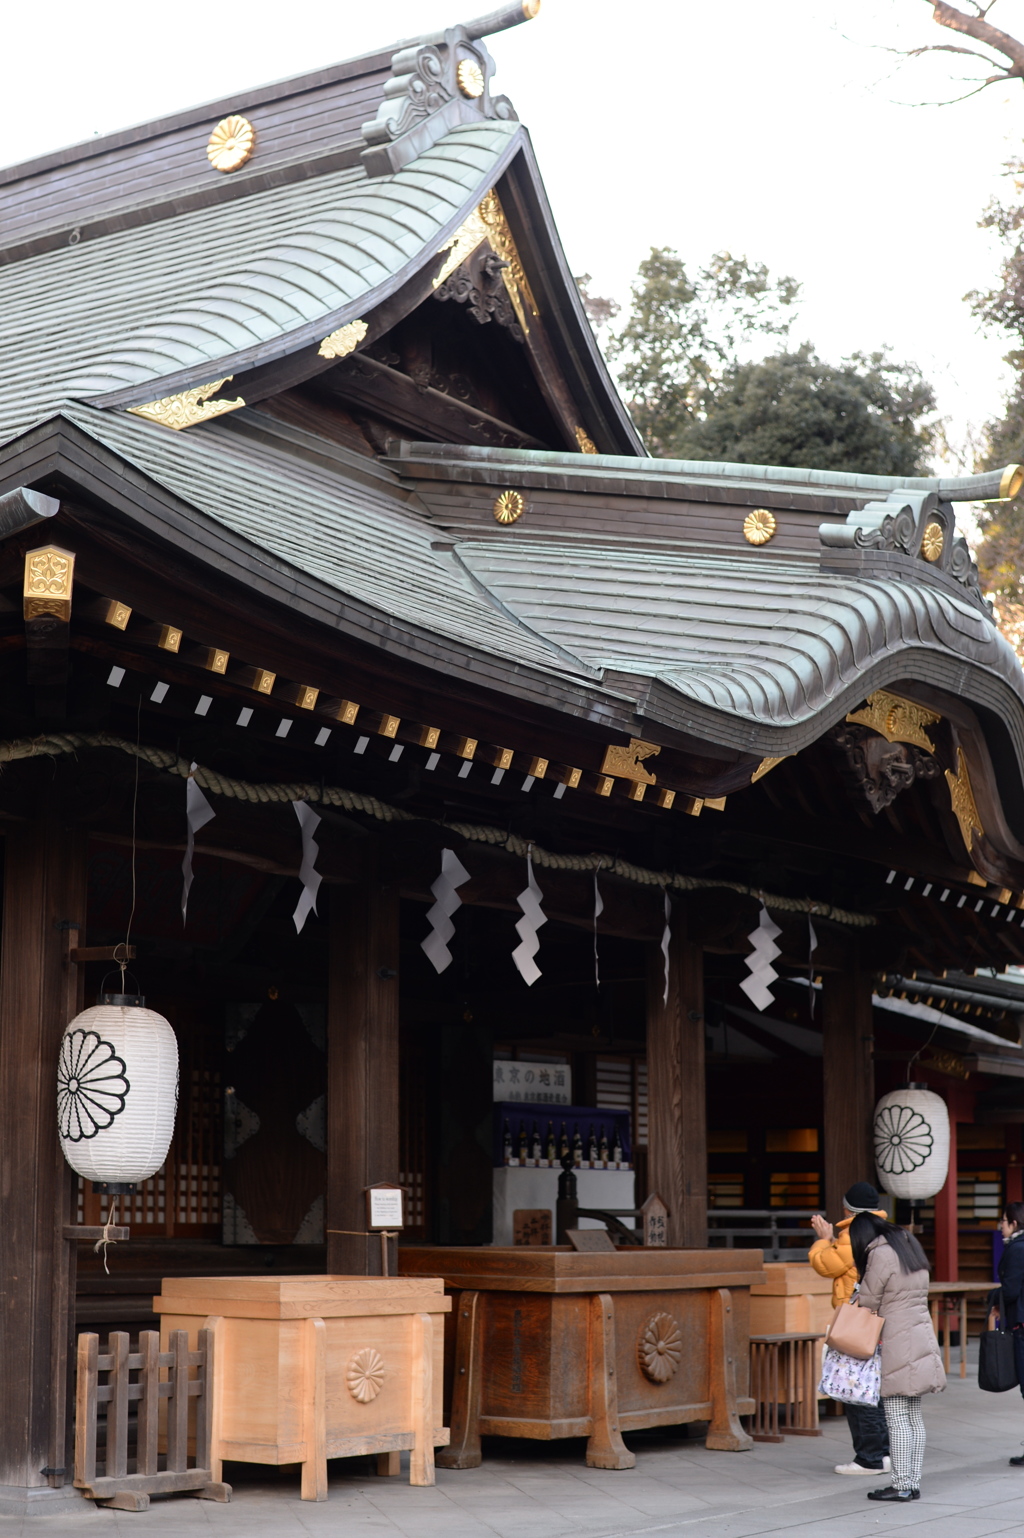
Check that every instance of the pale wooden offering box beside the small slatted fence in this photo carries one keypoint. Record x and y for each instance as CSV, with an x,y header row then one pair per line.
x,y
316,1368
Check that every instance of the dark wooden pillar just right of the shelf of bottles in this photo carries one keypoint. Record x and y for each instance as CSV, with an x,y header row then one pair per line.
x,y
677,1119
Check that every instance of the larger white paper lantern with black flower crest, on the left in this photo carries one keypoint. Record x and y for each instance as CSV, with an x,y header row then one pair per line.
x,y
118,1091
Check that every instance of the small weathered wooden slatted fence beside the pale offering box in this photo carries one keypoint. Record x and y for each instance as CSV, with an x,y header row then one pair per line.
x,y
190,1376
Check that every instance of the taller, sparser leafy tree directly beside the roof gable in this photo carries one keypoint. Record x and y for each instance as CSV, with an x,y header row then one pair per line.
x,y
683,333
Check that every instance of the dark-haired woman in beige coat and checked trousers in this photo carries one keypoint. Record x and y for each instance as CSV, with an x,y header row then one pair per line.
x,y
894,1276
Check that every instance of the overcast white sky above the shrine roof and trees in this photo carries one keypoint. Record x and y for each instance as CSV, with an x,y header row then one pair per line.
x,y
770,130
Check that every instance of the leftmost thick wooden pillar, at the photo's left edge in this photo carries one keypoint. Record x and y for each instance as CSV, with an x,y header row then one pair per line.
x,y
44,894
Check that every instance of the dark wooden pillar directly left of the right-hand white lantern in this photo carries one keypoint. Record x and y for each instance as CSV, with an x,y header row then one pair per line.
x,y
849,1084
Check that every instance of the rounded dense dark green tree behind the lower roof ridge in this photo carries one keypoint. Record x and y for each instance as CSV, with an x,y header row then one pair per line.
x,y
866,414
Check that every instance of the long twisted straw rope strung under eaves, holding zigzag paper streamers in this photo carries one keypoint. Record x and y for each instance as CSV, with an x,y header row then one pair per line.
x,y
370,807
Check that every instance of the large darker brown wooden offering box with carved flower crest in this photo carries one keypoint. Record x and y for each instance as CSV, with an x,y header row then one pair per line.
x,y
554,1343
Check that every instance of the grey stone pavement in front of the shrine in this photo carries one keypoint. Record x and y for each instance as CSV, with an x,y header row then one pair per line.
x,y
677,1491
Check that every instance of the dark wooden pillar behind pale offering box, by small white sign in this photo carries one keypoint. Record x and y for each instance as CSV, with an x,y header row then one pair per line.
x,y
362,1060
